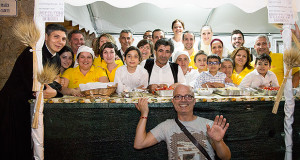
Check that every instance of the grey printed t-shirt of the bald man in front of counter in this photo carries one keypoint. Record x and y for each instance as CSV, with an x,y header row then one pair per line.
x,y
179,146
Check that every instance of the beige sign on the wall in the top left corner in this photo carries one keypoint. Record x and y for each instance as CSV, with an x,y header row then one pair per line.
x,y
8,8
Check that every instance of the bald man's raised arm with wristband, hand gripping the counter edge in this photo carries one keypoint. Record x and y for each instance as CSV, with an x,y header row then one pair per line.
x,y
143,139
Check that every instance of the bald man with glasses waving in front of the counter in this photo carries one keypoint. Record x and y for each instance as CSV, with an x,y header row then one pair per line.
x,y
208,133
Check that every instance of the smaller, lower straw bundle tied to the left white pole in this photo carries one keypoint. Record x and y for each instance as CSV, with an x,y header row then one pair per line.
x,y
47,76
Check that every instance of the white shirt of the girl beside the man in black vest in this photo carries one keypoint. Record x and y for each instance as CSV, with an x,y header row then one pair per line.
x,y
129,81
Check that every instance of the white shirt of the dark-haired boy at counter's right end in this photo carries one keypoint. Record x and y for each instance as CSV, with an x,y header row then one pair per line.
x,y
254,80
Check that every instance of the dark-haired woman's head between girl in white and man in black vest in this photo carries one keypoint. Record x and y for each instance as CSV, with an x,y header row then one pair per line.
x,y
146,48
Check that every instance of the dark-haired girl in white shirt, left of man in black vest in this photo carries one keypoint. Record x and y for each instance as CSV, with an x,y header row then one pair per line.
x,y
132,75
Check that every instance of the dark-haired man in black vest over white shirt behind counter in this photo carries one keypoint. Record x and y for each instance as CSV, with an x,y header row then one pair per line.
x,y
163,73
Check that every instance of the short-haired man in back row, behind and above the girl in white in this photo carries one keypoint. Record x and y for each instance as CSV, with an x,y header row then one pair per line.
x,y
126,41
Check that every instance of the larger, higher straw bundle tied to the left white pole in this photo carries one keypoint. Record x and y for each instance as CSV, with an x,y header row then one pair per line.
x,y
28,33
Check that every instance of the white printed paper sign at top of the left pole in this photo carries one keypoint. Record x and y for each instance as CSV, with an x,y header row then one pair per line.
x,y
51,11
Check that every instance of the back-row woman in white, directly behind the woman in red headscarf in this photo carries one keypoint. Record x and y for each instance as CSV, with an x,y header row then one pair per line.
x,y
206,37
